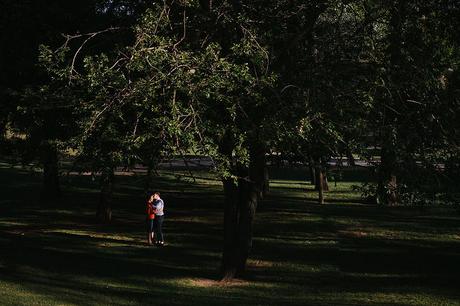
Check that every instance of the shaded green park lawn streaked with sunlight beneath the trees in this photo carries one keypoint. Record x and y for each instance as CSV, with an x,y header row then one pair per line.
x,y
343,252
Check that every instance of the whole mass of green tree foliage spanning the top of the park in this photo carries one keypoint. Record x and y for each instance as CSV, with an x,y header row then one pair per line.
x,y
305,80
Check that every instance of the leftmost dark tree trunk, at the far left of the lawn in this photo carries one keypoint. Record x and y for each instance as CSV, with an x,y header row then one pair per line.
x,y
51,189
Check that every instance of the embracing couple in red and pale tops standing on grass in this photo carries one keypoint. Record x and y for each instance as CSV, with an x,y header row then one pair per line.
x,y
155,216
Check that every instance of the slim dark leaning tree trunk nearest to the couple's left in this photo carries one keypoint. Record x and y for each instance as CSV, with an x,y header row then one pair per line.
x,y
104,209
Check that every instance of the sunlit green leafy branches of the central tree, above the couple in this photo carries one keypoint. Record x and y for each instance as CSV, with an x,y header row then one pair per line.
x,y
160,92
